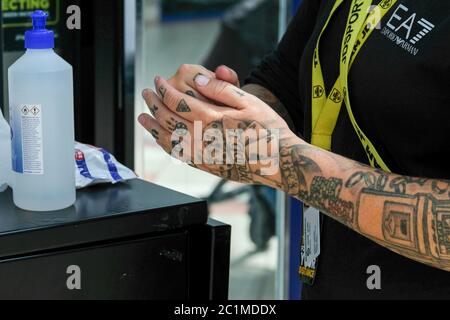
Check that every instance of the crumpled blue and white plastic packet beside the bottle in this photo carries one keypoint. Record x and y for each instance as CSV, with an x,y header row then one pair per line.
x,y
95,165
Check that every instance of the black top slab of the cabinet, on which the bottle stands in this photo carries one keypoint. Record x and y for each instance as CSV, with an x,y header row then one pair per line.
x,y
101,213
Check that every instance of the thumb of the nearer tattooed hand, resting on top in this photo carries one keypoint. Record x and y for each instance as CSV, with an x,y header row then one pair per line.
x,y
220,91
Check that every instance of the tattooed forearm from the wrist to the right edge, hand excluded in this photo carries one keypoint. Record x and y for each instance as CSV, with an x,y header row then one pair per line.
x,y
410,216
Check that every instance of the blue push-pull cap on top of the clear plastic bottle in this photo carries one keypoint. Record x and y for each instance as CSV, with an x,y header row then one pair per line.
x,y
39,37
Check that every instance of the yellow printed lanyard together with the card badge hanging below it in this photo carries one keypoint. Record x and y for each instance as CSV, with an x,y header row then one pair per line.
x,y
362,19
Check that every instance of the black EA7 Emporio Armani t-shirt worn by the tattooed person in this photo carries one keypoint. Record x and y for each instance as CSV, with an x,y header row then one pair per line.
x,y
400,98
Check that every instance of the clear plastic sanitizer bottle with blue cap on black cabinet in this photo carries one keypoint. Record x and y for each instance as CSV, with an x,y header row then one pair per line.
x,y
42,123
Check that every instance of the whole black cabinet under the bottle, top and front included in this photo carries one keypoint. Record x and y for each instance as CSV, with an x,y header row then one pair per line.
x,y
131,241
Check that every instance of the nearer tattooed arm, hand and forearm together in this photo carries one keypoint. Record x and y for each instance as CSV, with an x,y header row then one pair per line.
x,y
237,136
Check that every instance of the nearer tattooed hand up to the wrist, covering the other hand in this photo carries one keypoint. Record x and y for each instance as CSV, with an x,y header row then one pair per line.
x,y
229,133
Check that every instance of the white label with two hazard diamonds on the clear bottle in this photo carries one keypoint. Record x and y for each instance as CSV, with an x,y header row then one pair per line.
x,y
31,132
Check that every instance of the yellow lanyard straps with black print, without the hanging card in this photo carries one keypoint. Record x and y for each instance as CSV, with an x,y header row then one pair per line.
x,y
361,22
